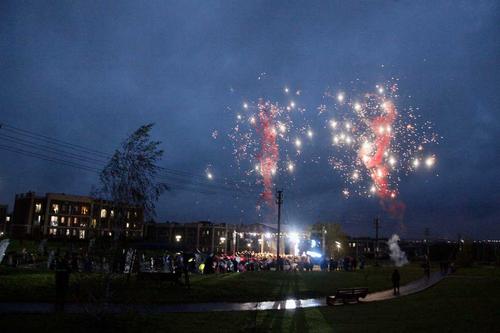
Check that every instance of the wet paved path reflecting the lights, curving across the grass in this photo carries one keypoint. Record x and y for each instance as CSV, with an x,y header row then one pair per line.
x,y
411,288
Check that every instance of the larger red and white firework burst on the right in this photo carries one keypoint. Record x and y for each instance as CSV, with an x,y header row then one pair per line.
x,y
375,143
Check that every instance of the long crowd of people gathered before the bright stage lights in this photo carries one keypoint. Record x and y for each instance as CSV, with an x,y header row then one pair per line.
x,y
194,262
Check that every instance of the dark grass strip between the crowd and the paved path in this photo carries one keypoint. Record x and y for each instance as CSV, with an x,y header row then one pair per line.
x,y
250,286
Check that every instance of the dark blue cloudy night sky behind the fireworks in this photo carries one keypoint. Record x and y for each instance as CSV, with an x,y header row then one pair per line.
x,y
90,72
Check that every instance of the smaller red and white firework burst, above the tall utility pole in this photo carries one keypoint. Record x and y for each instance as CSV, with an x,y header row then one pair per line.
x,y
267,139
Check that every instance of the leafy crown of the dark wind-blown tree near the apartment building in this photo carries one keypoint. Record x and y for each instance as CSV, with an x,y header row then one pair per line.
x,y
129,178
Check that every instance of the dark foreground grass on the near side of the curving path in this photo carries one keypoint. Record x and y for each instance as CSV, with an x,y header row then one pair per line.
x,y
469,301
